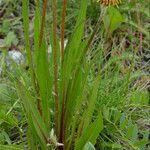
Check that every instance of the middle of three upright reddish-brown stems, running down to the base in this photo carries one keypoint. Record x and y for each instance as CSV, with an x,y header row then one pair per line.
x,y
54,25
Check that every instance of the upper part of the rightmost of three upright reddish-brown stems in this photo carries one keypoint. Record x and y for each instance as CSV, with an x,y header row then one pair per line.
x,y
63,28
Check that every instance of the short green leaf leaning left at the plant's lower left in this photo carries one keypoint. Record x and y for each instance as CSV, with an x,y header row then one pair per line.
x,y
33,115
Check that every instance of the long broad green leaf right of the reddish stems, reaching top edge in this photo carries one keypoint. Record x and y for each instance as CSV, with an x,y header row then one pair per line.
x,y
72,70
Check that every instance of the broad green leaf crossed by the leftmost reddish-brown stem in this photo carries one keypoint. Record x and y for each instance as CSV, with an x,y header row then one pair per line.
x,y
42,69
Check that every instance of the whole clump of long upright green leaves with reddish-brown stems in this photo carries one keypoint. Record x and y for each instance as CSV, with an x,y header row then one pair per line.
x,y
74,97
